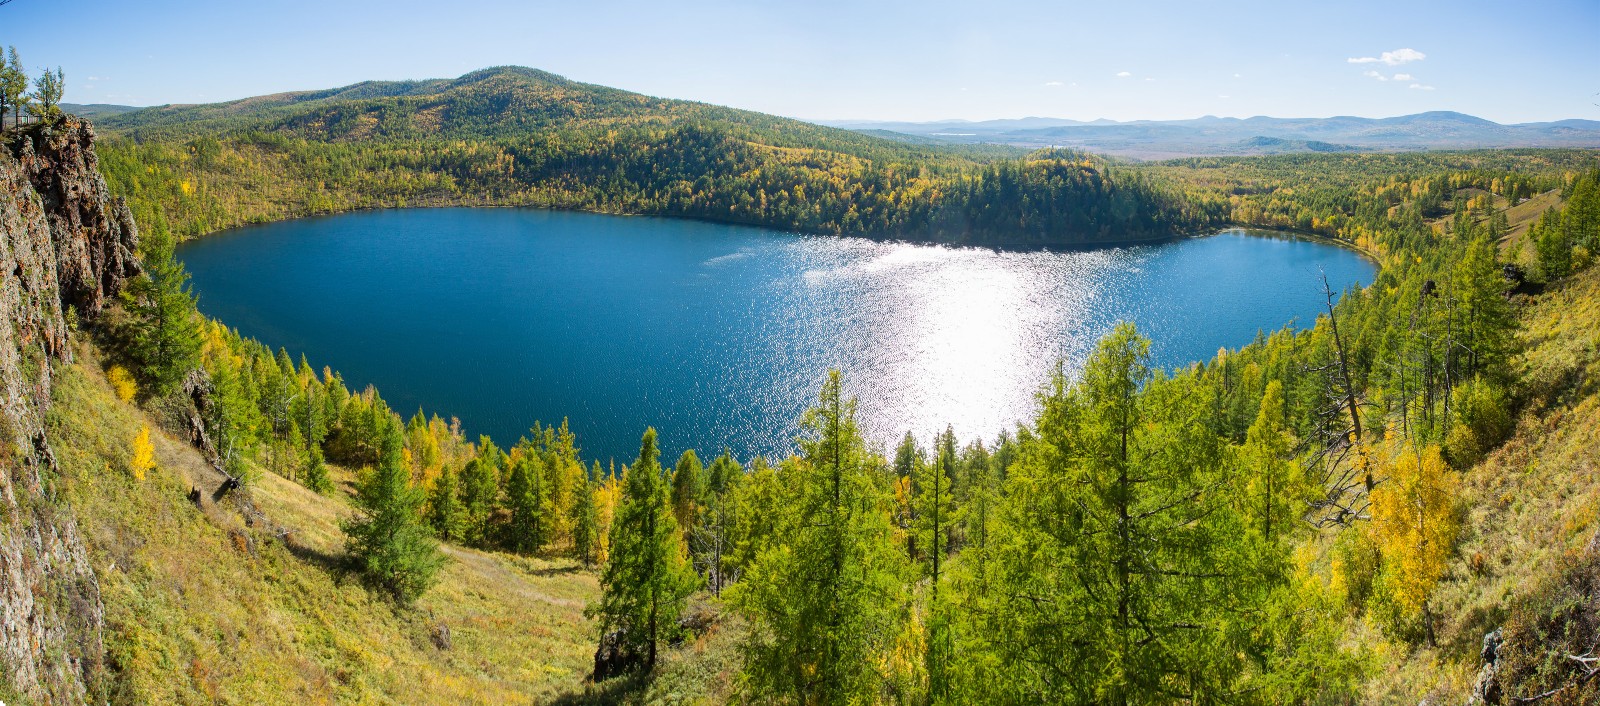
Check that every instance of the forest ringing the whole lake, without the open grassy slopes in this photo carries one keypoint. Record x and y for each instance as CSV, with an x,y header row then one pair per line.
x,y
1254,529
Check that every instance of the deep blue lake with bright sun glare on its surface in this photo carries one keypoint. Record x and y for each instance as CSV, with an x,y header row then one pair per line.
x,y
721,335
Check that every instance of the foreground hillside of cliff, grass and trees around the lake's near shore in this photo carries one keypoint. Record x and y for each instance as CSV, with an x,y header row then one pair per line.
x,y
174,521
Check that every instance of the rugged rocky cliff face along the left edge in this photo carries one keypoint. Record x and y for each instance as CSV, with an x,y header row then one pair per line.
x,y
66,247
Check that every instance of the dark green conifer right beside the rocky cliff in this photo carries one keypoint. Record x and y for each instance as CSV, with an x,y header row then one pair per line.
x,y
166,337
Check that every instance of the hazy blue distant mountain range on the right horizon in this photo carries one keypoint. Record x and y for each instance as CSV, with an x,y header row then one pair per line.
x,y
1257,135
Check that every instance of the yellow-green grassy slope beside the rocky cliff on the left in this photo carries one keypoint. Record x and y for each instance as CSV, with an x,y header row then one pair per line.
x,y
207,608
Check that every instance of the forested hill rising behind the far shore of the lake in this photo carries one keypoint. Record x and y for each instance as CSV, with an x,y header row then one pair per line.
x,y
522,137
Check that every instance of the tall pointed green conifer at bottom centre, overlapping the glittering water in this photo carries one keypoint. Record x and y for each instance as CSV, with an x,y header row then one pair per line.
x,y
828,600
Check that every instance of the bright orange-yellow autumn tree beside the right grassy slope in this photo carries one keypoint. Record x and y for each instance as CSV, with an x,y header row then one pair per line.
x,y
1415,527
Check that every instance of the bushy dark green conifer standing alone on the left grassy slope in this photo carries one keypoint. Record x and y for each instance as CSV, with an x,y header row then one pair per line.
x,y
388,537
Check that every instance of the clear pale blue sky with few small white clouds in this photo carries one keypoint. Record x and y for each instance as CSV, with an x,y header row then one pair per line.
x,y
1508,62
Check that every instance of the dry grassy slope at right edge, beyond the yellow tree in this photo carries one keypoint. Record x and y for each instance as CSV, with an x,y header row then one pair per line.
x,y
1532,507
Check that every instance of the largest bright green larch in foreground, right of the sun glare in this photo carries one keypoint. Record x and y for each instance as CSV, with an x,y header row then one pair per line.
x,y
1118,579
